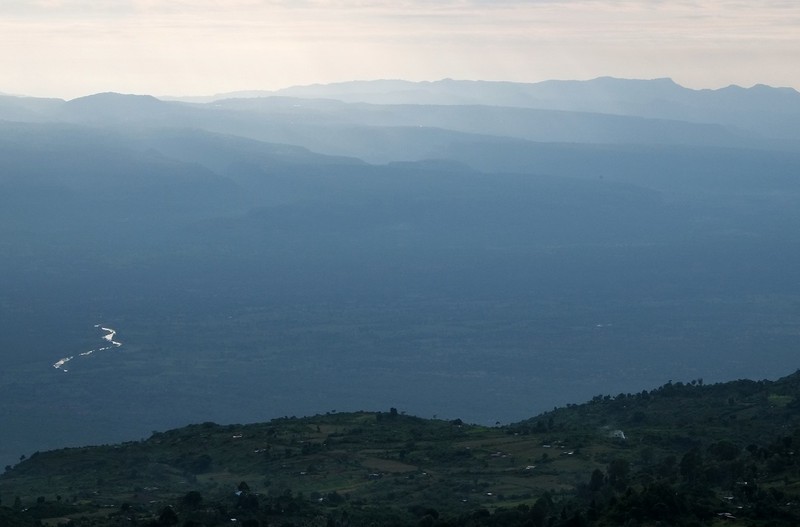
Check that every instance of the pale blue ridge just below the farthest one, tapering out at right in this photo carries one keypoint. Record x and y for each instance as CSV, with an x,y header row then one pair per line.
x,y
373,131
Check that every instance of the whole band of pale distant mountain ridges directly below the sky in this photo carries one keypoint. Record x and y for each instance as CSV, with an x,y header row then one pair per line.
x,y
382,121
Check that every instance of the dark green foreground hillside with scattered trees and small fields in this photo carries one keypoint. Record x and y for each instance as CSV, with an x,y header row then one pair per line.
x,y
682,454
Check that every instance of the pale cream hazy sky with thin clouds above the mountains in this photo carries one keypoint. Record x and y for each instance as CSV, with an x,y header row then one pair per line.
x,y
68,48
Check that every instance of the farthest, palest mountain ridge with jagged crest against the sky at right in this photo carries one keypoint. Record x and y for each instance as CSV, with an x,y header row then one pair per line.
x,y
766,110
